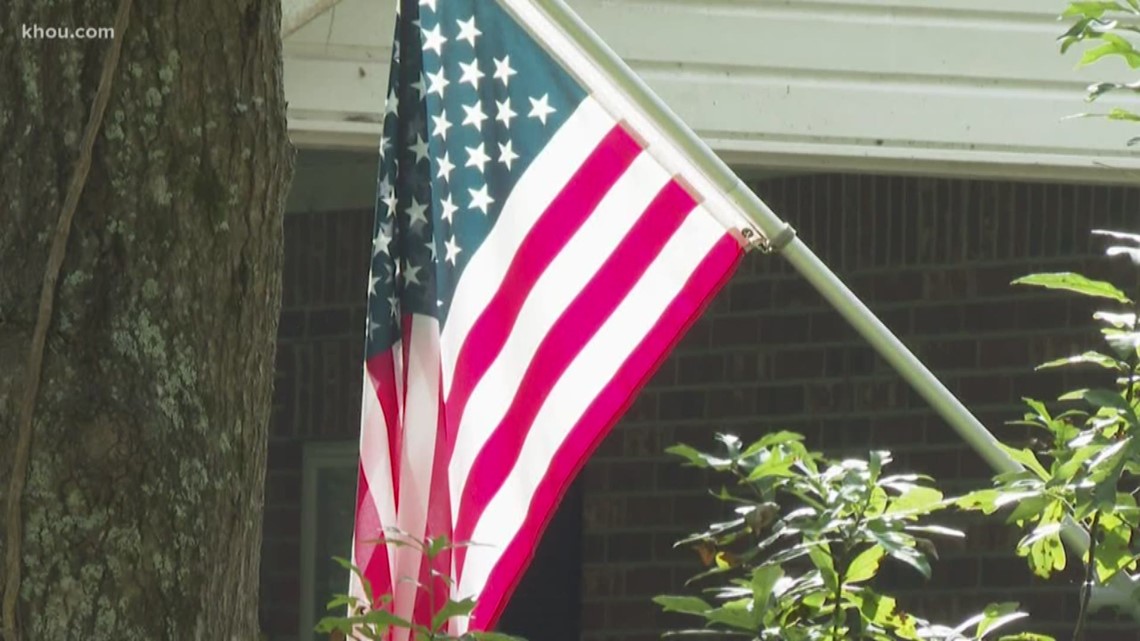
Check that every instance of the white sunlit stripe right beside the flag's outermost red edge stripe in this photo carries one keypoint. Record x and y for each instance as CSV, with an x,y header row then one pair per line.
x,y
581,385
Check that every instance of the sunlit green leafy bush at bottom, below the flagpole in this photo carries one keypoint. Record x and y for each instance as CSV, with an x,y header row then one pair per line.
x,y
800,561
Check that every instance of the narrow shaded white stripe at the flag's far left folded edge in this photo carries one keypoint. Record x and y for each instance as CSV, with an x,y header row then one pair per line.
x,y
376,461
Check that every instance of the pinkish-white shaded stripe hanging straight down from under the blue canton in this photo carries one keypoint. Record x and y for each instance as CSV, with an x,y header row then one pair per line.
x,y
421,423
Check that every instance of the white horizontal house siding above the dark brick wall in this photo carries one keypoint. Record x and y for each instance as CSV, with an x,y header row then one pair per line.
x,y
966,87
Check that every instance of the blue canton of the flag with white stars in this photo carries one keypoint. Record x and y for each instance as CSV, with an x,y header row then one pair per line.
x,y
467,113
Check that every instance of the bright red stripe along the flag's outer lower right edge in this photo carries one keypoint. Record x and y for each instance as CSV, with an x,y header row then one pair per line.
x,y
597,423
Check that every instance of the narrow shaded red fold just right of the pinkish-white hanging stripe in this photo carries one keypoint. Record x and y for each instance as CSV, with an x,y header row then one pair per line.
x,y
439,524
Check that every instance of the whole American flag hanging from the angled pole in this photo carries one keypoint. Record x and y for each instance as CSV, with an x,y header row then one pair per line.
x,y
533,265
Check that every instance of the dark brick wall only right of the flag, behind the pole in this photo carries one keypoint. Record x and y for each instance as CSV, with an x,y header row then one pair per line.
x,y
934,259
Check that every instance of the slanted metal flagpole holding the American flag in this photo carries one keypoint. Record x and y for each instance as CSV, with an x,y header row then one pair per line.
x,y
781,238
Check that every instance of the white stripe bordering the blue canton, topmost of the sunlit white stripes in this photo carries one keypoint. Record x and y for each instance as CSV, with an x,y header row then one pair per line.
x,y
545,178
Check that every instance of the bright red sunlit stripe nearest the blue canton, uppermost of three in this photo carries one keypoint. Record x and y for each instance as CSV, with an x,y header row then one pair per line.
x,y
545,240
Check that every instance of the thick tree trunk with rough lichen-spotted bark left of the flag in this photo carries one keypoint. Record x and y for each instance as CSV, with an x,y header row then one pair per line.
x,y
142,512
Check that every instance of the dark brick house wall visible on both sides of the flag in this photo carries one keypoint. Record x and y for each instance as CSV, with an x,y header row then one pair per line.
x,y
932,257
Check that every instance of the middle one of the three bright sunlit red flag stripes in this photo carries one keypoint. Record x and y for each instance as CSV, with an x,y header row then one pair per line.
x,y
581,321
